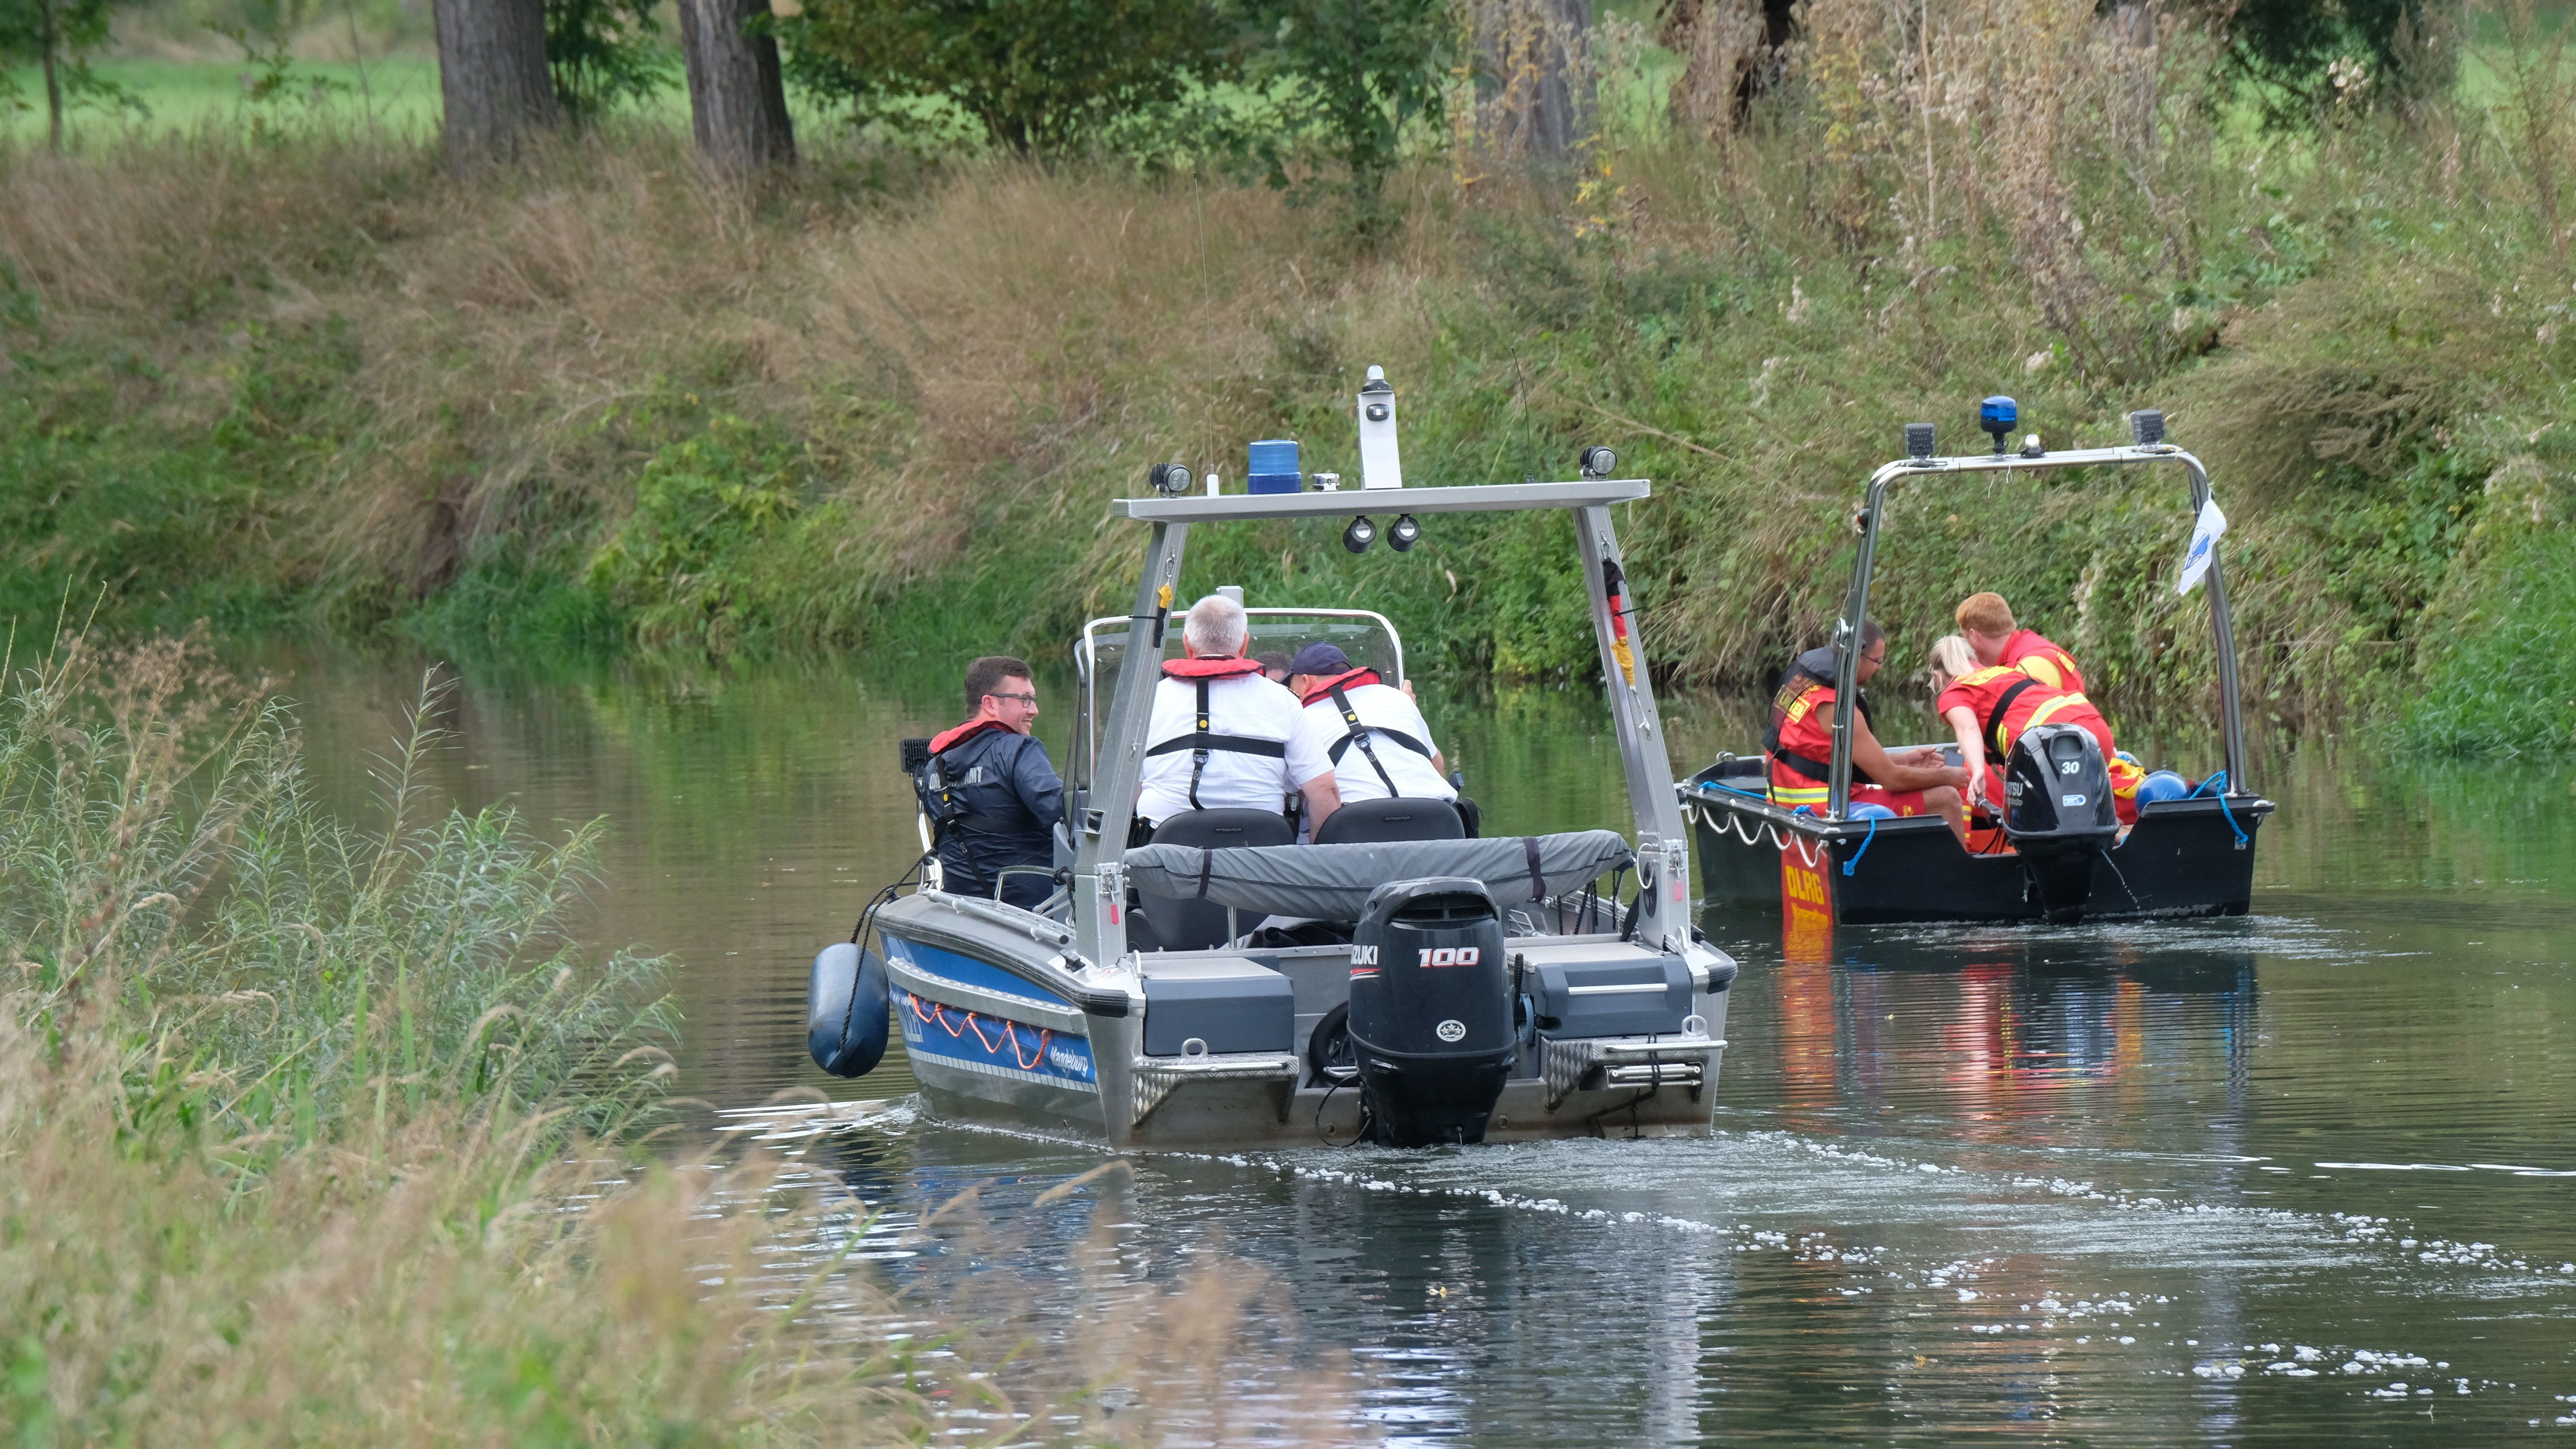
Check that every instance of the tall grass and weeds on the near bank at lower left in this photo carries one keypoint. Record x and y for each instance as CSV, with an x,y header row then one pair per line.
x,y
334,1133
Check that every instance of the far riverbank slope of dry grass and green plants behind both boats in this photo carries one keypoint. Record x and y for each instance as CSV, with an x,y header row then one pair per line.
x,y
318,383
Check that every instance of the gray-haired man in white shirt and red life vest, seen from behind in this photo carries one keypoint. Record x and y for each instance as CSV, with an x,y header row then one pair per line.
x,y
1220,731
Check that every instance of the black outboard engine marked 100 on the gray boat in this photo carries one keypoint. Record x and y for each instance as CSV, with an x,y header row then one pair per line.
x,y
1431,1012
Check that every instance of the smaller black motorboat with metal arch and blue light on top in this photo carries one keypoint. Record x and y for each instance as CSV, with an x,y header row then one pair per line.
x,y
1823,868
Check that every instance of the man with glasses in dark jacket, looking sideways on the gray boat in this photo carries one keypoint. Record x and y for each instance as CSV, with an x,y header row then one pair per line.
x,y
1009,790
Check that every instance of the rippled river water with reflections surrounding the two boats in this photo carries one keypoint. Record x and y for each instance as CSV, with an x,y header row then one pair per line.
x,y
2304,1177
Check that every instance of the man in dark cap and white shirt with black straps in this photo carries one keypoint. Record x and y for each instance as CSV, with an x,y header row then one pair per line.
x,y
1359,739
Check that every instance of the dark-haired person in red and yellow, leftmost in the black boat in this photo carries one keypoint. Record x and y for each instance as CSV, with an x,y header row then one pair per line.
x,y
1802,746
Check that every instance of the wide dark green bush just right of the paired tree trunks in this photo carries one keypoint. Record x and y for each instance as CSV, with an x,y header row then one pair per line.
x,y
1034,76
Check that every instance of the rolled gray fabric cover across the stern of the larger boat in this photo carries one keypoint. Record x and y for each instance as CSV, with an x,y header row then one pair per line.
x,y
1333,883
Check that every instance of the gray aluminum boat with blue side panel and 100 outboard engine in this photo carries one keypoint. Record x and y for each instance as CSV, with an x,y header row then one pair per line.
x,y
1472,989
